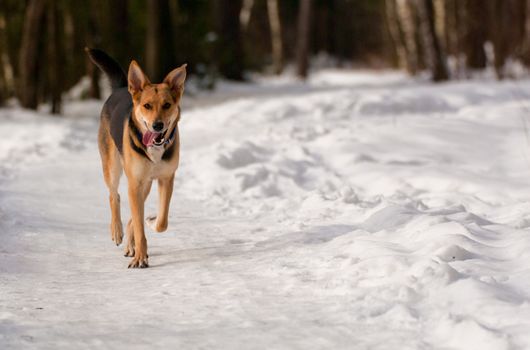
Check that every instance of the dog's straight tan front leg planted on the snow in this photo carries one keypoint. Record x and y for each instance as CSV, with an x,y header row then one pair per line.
x,y
136,200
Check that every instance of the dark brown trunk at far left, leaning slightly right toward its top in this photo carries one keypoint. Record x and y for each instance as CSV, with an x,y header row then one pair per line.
x,y
29,55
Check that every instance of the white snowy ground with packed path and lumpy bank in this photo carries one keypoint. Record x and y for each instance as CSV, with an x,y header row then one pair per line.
x,y
359,211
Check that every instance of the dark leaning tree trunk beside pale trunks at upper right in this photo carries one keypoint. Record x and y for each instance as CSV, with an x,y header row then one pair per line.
x,y
431,43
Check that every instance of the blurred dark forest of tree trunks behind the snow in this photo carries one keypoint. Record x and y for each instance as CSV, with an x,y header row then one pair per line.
x,y
42,41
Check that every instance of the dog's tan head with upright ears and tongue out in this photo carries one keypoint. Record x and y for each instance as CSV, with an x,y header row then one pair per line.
x,y
156,106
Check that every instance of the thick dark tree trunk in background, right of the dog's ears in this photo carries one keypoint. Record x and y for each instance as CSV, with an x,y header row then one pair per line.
x,y
229,48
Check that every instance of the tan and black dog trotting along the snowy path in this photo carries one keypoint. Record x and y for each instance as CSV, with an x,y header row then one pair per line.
x,y
138,134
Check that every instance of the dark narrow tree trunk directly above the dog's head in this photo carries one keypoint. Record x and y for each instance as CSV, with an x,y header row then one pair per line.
x,y
152,44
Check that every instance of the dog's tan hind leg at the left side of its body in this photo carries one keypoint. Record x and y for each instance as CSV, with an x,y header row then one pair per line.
x,y
112,170
